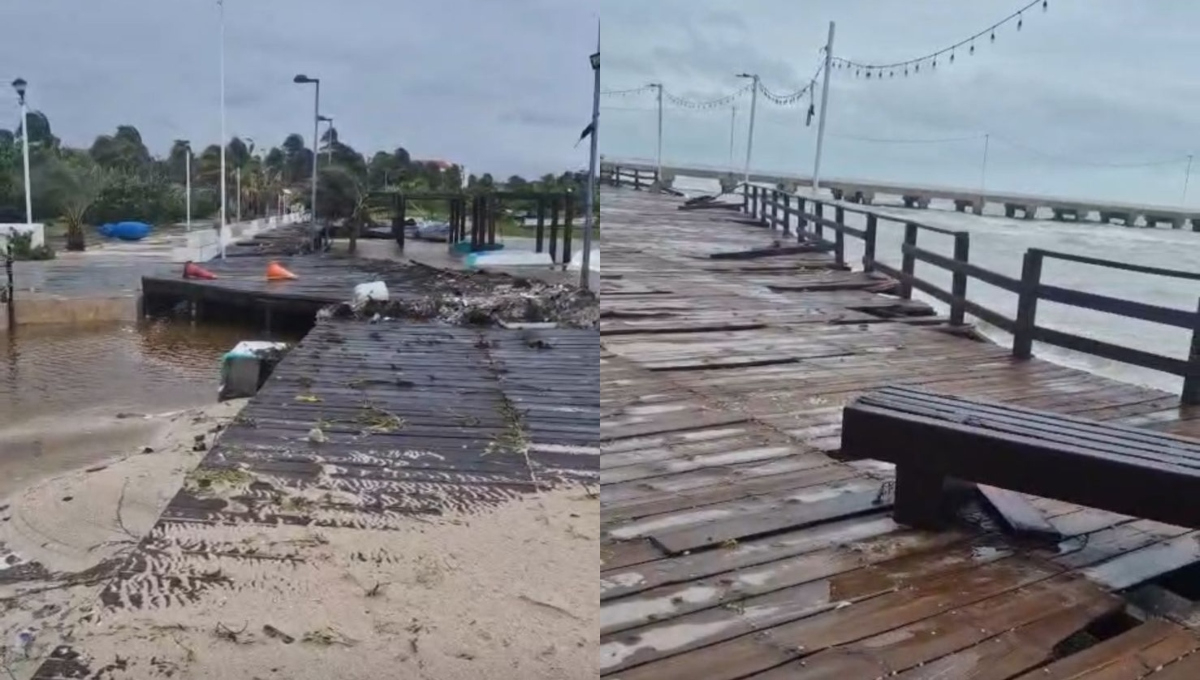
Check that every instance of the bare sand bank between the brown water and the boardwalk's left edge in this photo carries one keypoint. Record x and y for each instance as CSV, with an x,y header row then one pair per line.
x,y
64,534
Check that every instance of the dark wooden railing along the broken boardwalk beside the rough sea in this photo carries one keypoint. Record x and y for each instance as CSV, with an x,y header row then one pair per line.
x,y
814,221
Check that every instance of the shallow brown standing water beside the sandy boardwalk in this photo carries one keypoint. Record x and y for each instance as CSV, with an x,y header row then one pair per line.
x,y
75,395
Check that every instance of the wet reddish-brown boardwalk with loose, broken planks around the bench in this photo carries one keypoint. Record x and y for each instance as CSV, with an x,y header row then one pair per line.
x,y
736,545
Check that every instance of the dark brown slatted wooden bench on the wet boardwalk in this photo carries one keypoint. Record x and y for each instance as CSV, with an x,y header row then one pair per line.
x,y
938,438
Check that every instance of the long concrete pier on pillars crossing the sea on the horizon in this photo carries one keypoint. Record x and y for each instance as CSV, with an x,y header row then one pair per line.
x,y
645,173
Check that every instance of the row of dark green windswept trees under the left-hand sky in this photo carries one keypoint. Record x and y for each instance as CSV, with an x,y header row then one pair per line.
x,y
119,179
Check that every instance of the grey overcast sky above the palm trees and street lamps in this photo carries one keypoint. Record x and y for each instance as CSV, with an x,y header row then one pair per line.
x,y
499,86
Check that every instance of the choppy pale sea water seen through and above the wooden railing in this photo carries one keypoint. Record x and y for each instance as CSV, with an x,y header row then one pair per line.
x,y
999,244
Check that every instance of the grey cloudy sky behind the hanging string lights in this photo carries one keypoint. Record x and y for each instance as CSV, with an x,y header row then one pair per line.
x,y
1083,86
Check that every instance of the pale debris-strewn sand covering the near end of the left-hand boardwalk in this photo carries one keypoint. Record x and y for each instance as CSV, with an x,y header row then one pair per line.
x,y
509,592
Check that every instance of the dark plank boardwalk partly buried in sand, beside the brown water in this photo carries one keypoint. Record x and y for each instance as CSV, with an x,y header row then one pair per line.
x,y
367,435
